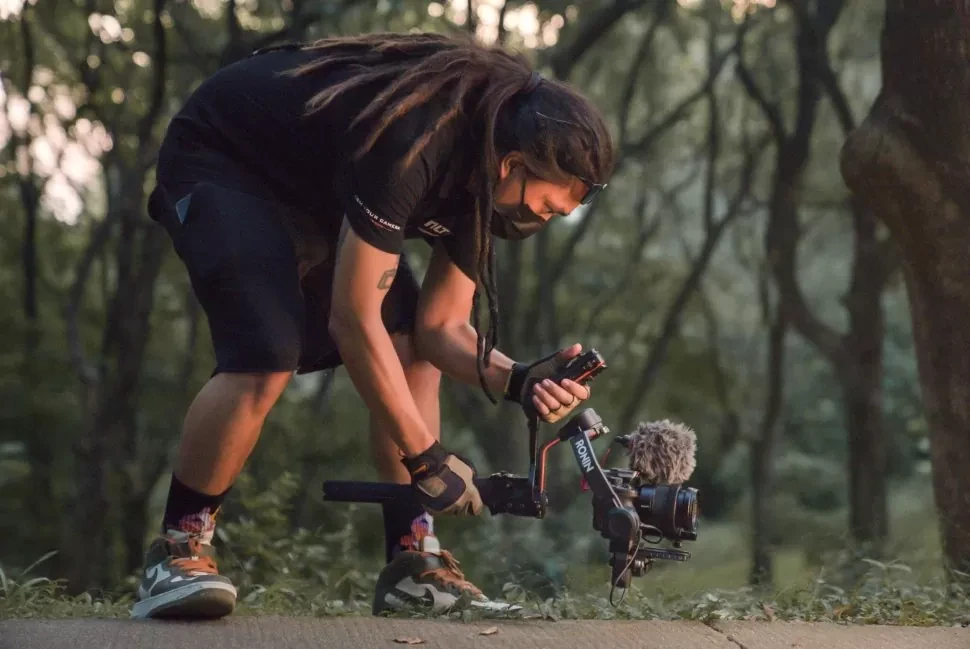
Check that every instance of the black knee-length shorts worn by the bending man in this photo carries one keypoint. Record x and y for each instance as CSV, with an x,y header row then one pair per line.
x,y
265,292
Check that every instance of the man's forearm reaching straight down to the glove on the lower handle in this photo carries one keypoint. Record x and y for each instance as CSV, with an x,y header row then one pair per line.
x,y
377,374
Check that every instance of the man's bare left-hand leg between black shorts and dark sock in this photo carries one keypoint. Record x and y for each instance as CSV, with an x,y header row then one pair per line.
x,y
222,427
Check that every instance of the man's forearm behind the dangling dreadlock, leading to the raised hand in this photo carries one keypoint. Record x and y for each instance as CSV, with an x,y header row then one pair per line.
x,y
453,349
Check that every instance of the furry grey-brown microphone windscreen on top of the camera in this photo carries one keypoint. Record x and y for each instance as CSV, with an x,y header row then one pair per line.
x,y
662,452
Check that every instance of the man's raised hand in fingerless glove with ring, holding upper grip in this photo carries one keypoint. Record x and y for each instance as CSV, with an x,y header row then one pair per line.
x,y
551,401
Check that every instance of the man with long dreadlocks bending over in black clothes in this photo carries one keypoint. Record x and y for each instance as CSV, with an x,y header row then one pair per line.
x,y
288,183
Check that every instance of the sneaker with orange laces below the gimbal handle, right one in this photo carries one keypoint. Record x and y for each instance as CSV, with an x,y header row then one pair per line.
x,y
430,580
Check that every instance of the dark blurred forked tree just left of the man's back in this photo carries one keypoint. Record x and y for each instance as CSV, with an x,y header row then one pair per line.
x,y
107,450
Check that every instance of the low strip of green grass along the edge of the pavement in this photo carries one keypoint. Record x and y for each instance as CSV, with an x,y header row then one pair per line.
x,y
884,597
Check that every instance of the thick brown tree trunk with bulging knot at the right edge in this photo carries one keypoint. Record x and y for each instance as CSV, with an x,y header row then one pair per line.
x,y
908,162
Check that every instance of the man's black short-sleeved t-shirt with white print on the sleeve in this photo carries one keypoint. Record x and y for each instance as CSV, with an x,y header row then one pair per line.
x,y
255,115
